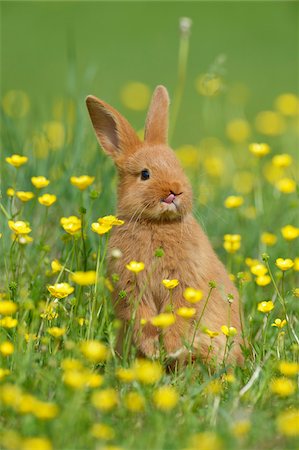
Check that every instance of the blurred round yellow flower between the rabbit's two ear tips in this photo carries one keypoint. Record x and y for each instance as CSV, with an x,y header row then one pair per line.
x,y
135,95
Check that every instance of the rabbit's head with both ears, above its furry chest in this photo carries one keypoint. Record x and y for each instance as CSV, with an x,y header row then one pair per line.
x,y
152,184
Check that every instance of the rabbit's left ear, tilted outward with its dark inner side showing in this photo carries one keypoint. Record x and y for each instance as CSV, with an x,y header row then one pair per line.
x,y
113,131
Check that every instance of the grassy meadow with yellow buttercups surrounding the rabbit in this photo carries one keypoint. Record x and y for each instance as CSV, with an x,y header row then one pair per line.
x,y
62,385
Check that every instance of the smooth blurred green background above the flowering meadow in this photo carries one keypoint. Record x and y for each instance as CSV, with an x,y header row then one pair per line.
x,y
53,48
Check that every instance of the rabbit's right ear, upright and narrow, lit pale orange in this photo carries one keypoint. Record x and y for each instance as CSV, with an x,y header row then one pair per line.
x,y
156,125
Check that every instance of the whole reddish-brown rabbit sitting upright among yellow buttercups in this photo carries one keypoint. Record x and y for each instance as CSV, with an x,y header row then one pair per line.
x,y
155,201
